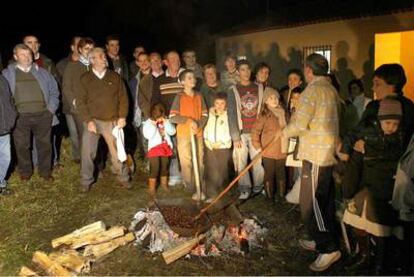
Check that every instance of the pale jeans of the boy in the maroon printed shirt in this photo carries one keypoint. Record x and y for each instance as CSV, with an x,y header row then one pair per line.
x,y
240,158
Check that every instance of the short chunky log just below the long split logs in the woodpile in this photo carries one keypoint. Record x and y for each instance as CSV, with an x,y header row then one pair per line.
x,y
72,260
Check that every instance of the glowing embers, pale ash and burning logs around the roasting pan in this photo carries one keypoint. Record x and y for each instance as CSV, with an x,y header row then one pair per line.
x,y
153,232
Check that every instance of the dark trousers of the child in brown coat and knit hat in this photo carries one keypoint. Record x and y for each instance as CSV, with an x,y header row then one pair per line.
x,y
275,174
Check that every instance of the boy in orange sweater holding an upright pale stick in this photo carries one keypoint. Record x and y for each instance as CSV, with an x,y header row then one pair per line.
x,y
189,112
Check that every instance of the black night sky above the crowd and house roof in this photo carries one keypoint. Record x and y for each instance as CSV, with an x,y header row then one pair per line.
x,y
159,24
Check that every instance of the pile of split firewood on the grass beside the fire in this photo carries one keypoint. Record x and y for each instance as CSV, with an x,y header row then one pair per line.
x,y
76,251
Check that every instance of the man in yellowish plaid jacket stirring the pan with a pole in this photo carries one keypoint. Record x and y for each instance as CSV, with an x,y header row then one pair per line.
x,y
316,124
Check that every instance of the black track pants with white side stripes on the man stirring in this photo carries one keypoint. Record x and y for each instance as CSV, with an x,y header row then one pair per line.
x,y
317,206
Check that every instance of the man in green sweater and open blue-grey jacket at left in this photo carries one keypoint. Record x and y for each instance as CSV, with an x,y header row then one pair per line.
x,y
36,97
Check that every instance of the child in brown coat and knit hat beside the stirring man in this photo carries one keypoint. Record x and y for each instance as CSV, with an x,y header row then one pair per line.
x,y
271,121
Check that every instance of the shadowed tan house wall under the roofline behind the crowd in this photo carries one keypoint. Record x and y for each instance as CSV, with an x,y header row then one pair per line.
x,y
352,44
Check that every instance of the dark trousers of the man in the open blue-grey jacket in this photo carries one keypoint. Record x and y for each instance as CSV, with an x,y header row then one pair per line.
x,y
40,125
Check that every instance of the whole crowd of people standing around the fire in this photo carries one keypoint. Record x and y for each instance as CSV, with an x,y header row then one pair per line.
x,y
198,127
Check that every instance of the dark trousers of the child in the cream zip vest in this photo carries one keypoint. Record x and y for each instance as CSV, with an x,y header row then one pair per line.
x,y
218,168
